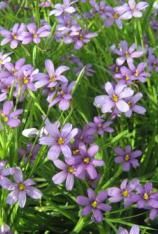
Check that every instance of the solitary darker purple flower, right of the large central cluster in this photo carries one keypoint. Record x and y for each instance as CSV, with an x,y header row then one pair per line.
x,y
127,157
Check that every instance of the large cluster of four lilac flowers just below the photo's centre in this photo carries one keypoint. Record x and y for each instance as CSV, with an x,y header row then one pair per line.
x,y
79,161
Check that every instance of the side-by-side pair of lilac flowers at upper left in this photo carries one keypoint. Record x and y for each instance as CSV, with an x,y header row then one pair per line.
x,y
24,34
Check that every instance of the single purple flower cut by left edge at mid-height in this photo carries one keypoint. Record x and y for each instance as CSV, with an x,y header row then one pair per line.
x,y
8,116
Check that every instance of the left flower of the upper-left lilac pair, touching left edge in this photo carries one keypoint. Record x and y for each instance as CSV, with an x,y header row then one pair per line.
x,y
14,36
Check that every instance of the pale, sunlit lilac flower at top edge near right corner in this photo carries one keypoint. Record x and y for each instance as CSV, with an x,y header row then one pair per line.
x,y
135,9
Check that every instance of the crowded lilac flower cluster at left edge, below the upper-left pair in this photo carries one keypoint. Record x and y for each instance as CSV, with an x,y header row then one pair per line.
x,y
17,77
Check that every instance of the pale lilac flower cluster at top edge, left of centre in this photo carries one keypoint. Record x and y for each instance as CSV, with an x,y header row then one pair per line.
x,y
68,28
